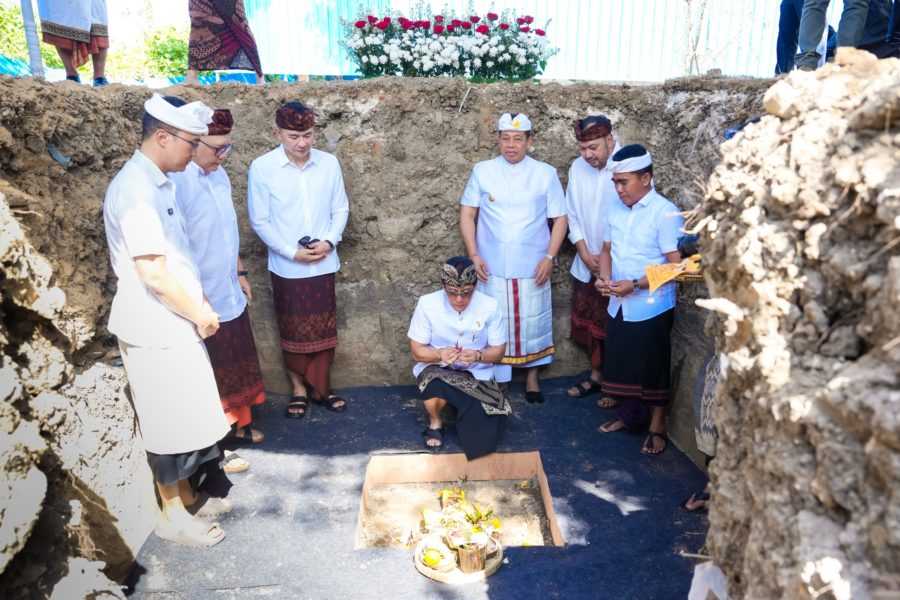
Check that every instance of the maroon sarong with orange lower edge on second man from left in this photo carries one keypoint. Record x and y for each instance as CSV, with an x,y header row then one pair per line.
x,y
232,352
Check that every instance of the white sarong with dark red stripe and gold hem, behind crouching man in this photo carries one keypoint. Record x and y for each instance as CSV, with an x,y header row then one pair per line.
x,y
527,320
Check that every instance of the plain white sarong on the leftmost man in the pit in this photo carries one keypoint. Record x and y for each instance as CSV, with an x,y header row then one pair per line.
x,y
175,397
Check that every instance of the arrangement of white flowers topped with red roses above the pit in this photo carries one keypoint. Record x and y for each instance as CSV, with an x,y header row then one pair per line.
x,y
483,48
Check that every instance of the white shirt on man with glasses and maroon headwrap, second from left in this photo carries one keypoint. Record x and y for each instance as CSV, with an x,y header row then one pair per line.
x,y
205,202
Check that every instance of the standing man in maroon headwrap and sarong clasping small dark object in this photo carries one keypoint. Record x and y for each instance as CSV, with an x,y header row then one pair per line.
x,y
299,208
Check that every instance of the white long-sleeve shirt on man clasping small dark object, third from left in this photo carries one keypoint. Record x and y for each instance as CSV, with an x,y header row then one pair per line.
x,y
287,202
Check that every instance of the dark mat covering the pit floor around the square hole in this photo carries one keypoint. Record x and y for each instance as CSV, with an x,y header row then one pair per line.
x,y
292,532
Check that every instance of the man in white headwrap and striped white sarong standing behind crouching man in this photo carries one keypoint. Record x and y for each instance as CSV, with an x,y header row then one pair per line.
x,y
511,197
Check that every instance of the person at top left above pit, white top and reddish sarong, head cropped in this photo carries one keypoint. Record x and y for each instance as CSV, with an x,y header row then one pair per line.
x,y
78,29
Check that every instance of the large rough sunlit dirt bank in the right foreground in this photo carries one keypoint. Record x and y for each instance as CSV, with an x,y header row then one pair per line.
x,y
801,235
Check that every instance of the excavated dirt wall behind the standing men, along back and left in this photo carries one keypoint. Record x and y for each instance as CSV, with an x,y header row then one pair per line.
x,y
69,454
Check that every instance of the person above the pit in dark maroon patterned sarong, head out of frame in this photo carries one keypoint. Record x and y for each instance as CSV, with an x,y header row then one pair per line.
x,y
220,38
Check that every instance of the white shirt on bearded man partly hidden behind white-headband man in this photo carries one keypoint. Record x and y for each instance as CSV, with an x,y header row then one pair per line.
x,y
589,193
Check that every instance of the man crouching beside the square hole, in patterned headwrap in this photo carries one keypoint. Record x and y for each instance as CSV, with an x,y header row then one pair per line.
x,y
457,336
